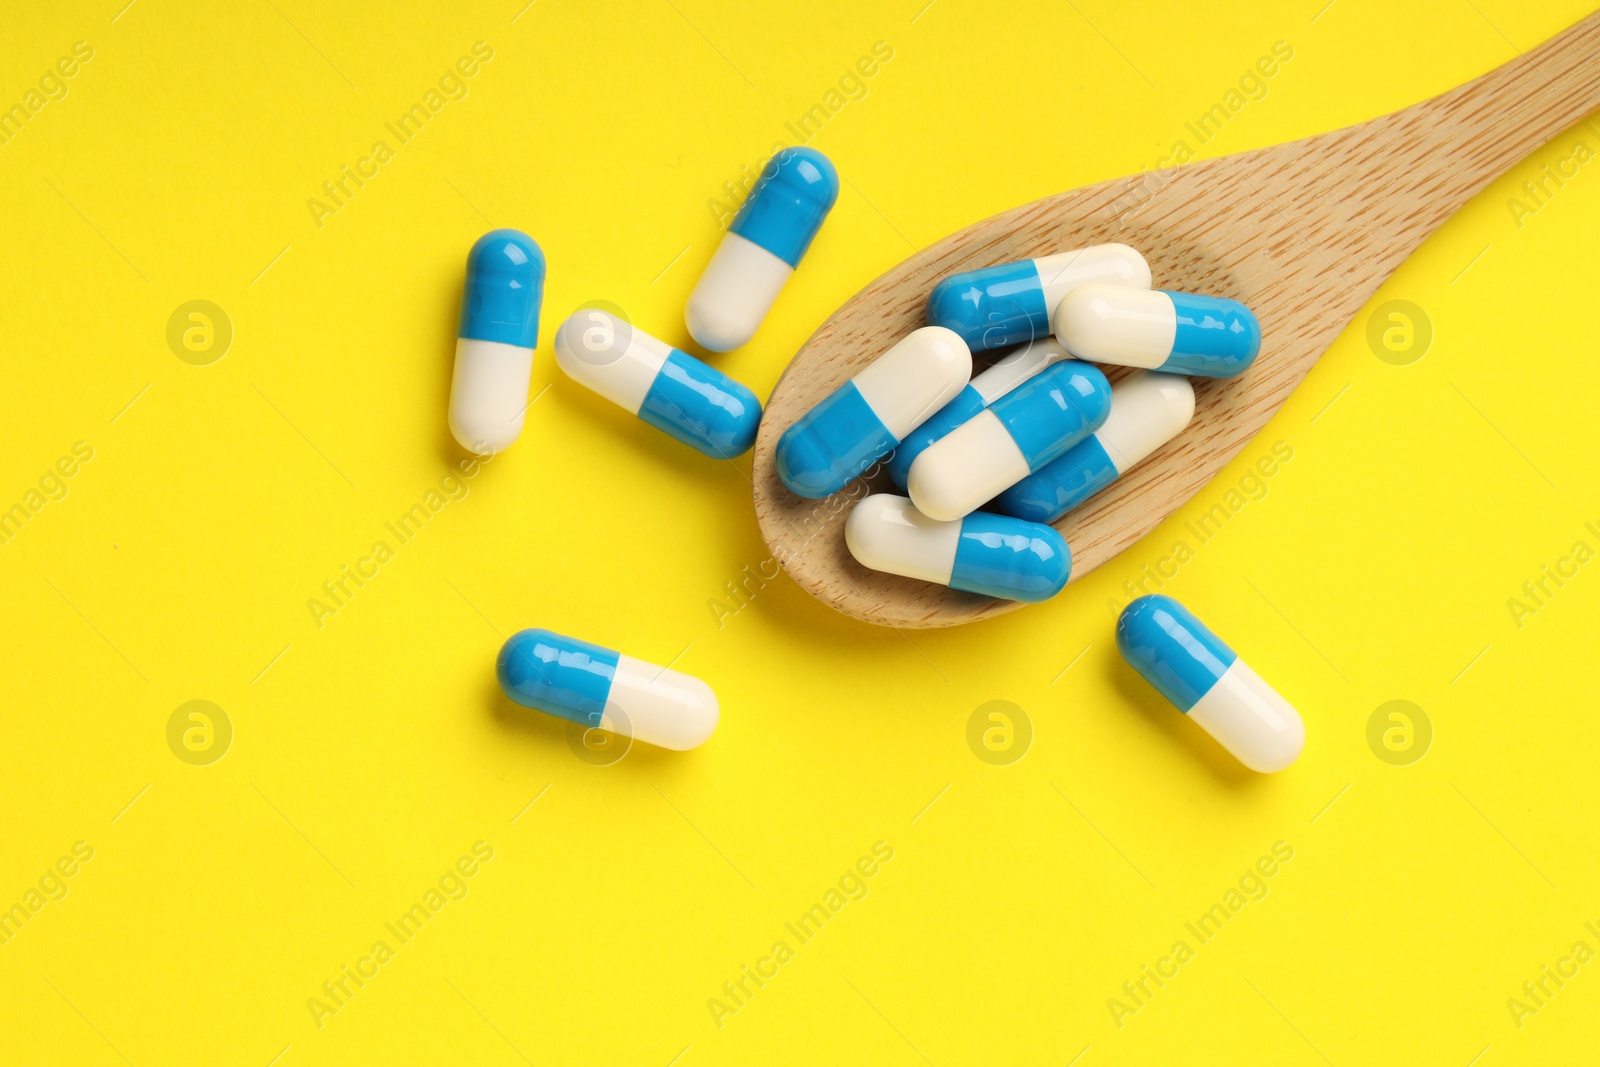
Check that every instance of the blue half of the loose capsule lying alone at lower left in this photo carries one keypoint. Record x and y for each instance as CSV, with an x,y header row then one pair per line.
x,y
556,674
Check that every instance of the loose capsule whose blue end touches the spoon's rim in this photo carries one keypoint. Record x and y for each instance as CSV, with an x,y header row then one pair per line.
x,y
663,386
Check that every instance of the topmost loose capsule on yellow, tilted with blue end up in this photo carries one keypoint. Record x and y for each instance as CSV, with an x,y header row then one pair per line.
x,y
762,249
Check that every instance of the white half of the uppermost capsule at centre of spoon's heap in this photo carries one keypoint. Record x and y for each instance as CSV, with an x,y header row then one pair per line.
x,y
967,468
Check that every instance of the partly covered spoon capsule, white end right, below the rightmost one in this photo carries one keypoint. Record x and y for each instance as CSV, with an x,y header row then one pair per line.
x,y
1146,412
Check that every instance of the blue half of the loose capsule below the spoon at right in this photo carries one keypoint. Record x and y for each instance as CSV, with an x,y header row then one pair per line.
x,y
1172,649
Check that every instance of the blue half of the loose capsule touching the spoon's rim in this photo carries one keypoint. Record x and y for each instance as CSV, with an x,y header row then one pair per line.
x,y
702,407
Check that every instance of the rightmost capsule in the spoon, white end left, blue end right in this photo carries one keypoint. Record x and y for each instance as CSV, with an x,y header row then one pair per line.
x,y
1209,337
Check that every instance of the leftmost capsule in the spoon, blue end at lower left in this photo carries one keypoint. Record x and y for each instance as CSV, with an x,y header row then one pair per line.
x,y
866,418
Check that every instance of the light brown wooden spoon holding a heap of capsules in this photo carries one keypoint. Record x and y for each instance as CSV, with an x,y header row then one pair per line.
x,y
1302,233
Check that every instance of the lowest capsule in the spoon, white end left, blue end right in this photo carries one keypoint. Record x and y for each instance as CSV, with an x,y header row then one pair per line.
x,y
993,556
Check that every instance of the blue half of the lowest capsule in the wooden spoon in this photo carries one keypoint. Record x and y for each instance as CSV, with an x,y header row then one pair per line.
x,y
1015,561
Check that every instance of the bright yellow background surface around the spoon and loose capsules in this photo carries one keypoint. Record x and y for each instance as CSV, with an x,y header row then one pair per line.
x,y
372,753
